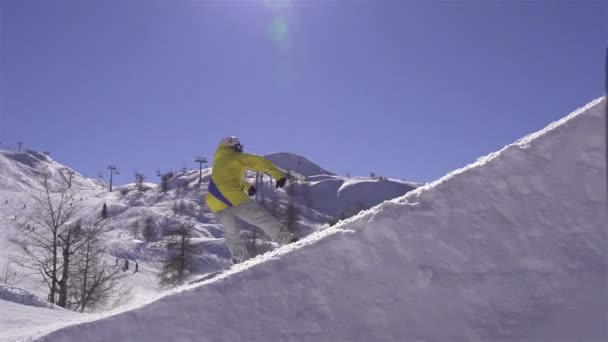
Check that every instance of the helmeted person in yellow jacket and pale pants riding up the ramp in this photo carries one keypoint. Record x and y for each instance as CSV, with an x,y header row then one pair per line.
x,y
227,196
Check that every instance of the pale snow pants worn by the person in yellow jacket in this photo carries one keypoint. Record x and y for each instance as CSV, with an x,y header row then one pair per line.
x,y
253,213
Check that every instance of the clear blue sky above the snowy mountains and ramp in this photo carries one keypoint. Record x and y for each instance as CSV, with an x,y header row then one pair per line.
x,y
407,89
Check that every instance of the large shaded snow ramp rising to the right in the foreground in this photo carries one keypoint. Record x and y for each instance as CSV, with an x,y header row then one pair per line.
x,y
510,248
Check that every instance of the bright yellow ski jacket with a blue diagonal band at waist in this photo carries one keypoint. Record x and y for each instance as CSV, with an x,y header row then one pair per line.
x,y
227,187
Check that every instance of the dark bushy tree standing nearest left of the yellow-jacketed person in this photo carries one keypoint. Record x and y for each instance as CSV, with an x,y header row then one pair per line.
x,y
179,264
